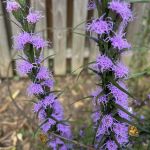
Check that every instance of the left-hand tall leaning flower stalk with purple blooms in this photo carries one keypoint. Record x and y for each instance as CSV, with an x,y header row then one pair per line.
x,y
31,45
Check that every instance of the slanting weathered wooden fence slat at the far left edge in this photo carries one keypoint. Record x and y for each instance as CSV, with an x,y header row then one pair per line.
x,y
4,48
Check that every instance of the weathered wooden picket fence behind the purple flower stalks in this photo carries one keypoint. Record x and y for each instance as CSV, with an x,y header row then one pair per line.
x,y
61,16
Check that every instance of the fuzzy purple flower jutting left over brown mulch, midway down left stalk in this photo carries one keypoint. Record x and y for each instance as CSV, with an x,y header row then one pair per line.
x,y
34,89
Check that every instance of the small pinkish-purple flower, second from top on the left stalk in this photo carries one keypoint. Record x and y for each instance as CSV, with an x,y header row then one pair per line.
x,y
33,17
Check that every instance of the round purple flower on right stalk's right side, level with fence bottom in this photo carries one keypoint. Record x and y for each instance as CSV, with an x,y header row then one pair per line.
x,y
120,70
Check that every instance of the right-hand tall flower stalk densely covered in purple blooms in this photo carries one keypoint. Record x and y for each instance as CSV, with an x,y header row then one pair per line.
x,y
110,99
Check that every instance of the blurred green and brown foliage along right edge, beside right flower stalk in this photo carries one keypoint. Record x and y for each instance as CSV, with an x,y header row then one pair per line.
x,y
140,85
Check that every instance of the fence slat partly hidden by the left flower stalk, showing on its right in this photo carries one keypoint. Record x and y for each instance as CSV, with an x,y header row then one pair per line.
x,y
41,26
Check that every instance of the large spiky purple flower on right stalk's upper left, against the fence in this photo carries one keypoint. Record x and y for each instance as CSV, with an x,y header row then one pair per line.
x,y
99,26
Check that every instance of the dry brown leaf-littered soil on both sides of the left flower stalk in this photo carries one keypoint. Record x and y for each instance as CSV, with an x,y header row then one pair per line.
x,y
18,123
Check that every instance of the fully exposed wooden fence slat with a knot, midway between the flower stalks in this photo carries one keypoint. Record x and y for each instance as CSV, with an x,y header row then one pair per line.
x,y
59,39
